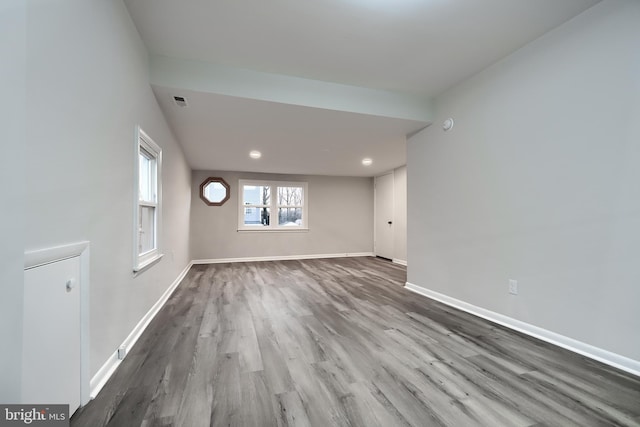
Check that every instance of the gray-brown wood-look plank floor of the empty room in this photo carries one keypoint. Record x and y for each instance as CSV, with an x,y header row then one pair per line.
x,y
339,342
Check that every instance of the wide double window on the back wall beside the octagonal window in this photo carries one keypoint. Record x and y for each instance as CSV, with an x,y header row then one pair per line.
x,y
272,205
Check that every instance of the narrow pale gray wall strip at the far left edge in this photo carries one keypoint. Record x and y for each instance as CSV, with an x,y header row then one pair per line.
x,y
12,125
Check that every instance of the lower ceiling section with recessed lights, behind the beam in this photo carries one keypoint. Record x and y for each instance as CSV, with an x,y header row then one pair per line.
x,y
298,140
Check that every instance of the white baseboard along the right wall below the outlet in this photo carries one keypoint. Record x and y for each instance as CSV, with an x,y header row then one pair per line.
x,y
612,359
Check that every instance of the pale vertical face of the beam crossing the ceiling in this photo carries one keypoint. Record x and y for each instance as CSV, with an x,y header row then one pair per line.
x,y
207,77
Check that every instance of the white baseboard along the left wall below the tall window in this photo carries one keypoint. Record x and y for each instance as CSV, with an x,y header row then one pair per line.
x,y
104,373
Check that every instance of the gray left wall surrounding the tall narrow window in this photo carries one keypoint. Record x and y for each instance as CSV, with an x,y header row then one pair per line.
x,y
87,88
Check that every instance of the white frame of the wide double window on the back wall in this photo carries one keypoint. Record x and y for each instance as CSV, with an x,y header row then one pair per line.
x,y
273,206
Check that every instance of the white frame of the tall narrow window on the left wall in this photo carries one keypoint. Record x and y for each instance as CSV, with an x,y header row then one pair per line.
x,y
145,144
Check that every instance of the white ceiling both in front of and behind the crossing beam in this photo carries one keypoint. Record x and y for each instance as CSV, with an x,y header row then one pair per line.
x,y
416,47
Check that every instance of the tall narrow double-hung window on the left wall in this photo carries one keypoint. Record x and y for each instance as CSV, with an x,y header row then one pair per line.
x,y
147,204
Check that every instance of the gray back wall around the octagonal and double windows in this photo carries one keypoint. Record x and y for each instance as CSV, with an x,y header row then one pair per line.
x,y
340,220
